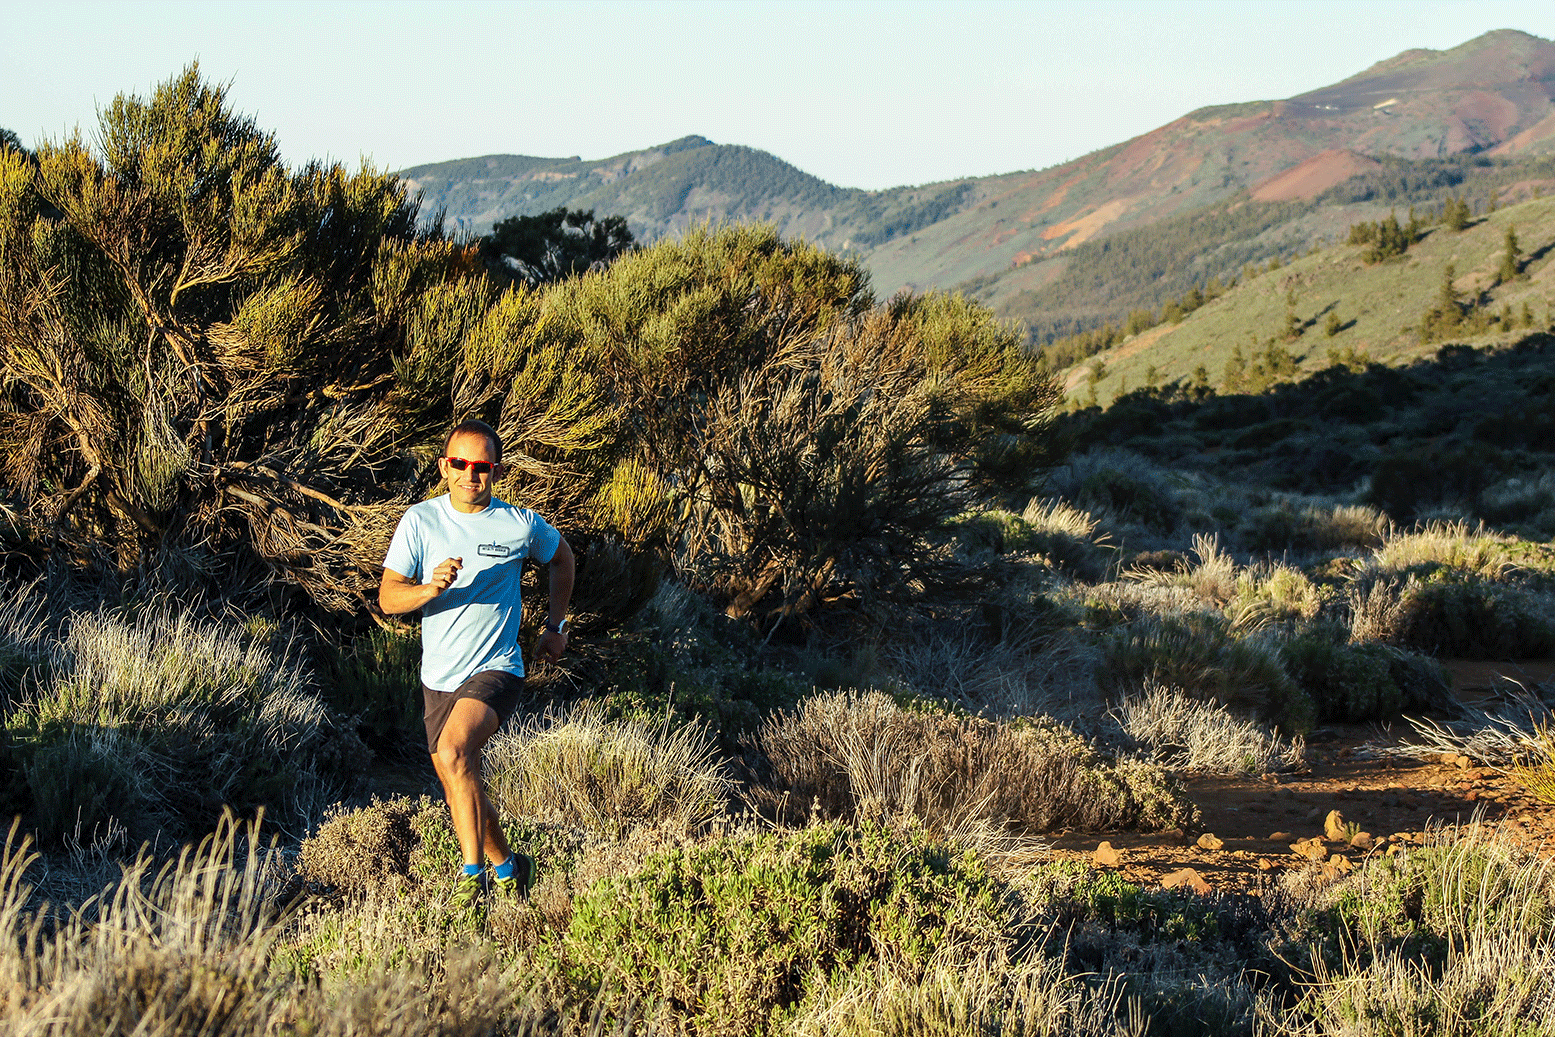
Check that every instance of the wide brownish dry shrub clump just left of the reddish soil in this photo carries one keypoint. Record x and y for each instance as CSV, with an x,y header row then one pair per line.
x,y
859,755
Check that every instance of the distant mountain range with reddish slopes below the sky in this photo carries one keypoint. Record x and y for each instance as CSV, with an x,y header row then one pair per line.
x,y
1012,239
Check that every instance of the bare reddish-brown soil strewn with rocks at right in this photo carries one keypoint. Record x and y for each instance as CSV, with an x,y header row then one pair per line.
x,y
1259,822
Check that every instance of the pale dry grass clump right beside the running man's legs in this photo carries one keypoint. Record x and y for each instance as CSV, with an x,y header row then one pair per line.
x,y
607,777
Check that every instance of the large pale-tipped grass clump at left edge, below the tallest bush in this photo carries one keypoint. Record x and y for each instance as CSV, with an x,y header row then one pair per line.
x,y
155,724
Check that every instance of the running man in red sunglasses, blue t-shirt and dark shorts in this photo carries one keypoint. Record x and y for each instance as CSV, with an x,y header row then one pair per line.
x,y
460,559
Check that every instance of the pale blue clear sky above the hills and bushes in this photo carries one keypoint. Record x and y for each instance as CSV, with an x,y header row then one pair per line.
x,y
861,94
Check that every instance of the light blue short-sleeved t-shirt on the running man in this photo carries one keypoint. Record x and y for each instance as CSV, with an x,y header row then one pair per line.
x,y
472,626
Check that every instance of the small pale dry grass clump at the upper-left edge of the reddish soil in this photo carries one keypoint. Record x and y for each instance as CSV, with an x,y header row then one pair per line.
x,y
1189,735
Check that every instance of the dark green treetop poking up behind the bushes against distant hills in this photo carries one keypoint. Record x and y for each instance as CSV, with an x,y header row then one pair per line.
x,y
556,245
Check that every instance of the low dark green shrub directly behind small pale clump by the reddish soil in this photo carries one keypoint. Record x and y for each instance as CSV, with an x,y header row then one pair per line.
x,y
1203,655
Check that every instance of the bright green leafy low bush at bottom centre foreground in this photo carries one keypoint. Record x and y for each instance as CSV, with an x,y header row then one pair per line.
x,y
730,937
